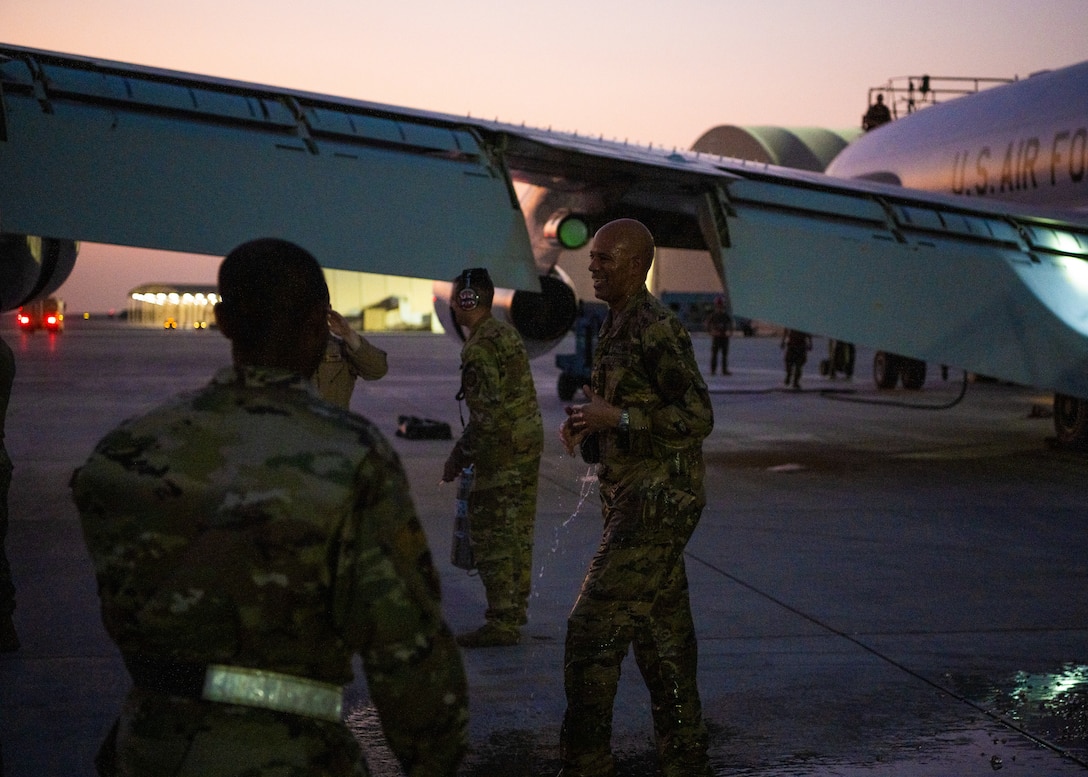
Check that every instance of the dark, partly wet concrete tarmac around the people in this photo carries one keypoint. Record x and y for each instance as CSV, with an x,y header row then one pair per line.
x,y
884,583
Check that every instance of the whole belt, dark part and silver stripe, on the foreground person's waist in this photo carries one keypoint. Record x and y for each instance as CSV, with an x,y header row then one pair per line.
x,y
239,685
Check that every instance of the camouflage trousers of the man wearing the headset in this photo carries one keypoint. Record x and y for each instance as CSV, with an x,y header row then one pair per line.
x,y
502,514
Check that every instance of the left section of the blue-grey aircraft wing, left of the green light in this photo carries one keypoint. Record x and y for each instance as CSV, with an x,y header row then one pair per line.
x,y
121,155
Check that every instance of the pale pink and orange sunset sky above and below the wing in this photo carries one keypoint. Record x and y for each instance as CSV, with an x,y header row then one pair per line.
x,y
662,71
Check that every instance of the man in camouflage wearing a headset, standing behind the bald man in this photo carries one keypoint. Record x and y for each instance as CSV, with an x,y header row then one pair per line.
x,y
503,441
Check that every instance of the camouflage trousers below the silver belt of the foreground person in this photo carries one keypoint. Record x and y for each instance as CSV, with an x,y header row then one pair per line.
x,y
160,736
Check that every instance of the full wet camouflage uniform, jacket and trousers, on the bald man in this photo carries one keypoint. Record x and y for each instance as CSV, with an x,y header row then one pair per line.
x,y
636,590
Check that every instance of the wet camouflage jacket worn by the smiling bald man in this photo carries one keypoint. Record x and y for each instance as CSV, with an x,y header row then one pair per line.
x,y
645,364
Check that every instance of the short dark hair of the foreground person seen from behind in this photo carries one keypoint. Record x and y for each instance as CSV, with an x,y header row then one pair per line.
x,y
266,282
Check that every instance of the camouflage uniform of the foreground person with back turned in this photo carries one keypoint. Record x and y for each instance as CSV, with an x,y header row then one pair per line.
x,y
254,525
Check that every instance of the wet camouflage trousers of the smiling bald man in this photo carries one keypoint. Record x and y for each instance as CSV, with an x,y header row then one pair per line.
x,y
635,594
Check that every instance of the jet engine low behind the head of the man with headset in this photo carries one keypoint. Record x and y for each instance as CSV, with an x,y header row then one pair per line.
x,y
541,318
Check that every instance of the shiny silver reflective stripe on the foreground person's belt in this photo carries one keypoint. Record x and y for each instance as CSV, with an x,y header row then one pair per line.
x,y
271,690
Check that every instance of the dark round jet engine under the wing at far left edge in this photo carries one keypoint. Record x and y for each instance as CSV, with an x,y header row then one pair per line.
x,y
33,268
